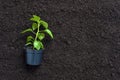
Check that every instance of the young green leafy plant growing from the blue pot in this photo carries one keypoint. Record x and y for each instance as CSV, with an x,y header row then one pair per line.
x,y
39,28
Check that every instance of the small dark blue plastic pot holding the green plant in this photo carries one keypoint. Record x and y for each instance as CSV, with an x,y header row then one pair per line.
x,y
33,57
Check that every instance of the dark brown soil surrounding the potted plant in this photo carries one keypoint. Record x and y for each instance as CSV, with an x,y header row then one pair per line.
x,y
86,43
